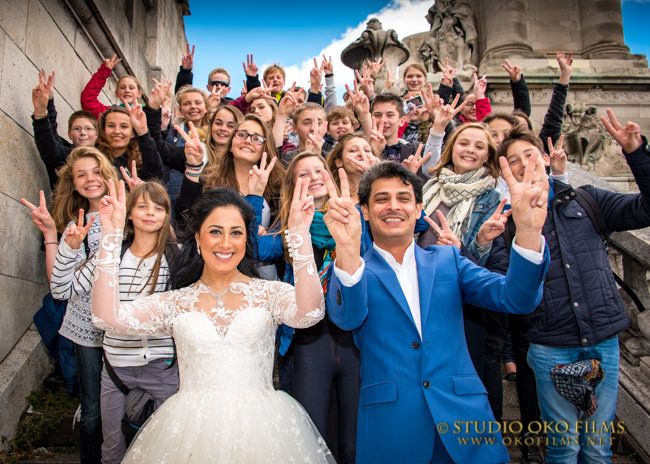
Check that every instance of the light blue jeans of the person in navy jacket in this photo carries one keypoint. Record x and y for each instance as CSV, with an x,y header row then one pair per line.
x,y
570,438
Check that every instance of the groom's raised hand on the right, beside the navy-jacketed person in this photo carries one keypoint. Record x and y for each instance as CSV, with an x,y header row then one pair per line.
x,y
529,200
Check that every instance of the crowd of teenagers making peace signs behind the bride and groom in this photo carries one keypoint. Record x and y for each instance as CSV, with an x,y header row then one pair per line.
x,y
278,144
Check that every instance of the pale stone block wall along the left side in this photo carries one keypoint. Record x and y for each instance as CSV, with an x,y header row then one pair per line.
x,y
70,37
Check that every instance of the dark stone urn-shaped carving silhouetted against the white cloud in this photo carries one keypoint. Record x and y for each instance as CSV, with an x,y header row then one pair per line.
x,y
375,43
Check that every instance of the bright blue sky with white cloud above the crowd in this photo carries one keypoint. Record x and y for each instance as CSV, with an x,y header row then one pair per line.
x,y
293,33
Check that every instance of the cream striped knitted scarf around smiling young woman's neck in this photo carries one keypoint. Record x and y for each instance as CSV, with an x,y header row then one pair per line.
x,y
459,192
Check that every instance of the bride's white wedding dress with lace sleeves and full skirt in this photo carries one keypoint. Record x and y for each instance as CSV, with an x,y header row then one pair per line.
x,y
226,410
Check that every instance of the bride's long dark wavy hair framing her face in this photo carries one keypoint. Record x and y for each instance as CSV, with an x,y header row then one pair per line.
x,y
188,262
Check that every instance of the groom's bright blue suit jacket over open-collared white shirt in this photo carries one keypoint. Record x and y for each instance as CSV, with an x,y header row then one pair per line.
x,y
412,387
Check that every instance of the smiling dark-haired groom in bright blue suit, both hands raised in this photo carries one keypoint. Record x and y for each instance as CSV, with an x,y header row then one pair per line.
x,y
421,399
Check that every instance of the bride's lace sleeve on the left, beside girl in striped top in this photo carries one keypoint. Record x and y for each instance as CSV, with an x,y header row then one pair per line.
x,y
149,315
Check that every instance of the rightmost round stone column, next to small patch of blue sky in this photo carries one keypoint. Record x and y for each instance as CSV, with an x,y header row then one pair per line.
x,y
602,27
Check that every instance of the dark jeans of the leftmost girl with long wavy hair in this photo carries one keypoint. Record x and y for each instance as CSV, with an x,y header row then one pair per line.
x,y
89,369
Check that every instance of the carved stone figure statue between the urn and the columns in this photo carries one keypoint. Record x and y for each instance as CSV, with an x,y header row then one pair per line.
x,y
453,35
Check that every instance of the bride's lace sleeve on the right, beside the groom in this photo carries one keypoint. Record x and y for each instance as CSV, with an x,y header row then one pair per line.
x,y
303,306
